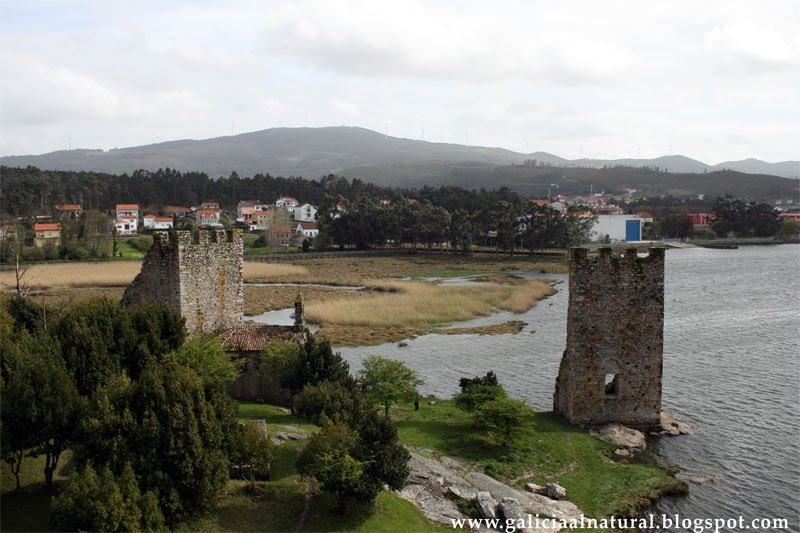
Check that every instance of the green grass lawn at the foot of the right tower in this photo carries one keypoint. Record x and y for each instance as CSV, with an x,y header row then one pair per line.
x,y
548,450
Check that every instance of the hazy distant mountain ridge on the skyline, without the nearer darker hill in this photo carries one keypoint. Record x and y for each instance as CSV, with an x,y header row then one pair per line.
x,y
312,152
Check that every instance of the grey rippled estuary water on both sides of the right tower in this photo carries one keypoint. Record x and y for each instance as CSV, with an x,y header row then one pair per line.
x,y
731,367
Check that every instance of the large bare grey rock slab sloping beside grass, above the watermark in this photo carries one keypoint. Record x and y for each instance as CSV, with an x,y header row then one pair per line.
x,y
444,489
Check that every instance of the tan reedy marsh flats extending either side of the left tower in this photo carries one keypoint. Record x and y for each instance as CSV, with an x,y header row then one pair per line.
x,y
393,310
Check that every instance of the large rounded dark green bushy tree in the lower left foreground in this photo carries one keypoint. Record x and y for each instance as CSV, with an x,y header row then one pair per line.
x,y
168,428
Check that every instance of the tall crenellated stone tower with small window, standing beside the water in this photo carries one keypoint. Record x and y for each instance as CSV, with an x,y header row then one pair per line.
x,y
612,366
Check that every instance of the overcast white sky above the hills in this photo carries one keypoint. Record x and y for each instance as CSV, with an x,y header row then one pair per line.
x,y
715,79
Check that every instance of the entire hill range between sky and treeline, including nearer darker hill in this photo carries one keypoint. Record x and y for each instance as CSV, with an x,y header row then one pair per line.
x,y
360,153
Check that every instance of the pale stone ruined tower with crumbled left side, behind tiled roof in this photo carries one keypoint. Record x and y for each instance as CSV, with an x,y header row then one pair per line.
x,y
198,274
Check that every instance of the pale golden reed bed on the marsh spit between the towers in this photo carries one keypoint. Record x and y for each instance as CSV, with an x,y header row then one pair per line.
x,y
424,305
